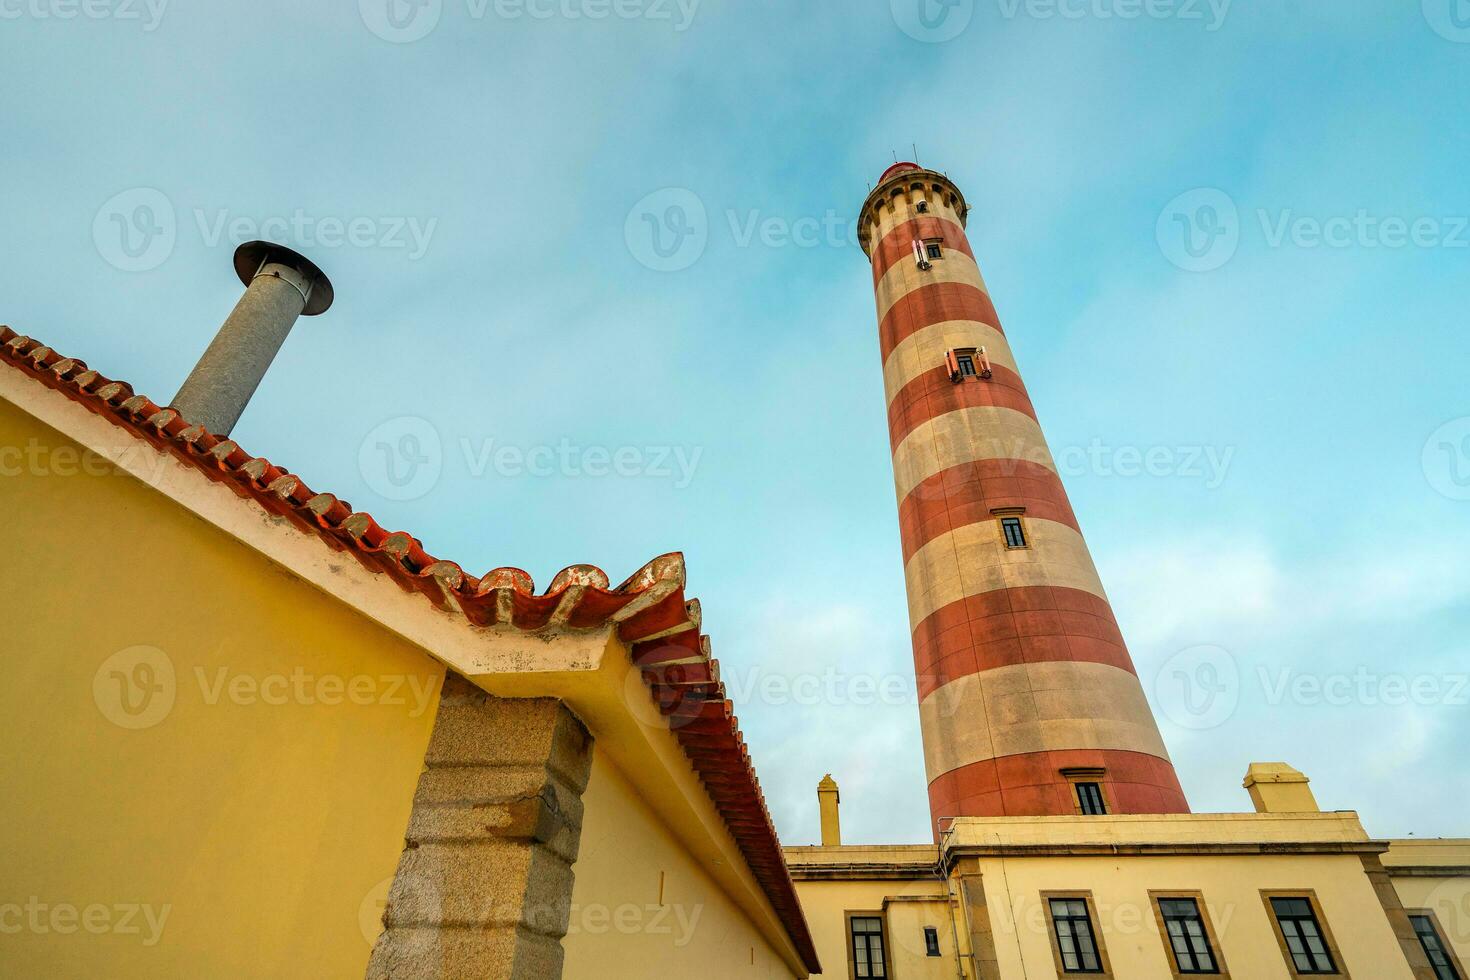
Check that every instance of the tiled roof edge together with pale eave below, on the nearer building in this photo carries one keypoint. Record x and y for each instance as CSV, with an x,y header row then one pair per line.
x,y
492,630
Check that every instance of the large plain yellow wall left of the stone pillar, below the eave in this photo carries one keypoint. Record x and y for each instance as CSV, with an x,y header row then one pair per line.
x,y
258,837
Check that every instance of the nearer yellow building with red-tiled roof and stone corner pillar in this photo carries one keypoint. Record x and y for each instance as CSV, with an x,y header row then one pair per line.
x,y
251,734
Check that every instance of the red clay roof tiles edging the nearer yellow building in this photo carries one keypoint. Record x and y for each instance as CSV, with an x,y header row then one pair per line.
x,y
649,610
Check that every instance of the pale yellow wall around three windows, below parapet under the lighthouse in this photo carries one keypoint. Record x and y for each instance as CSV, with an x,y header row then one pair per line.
x,y
1231,887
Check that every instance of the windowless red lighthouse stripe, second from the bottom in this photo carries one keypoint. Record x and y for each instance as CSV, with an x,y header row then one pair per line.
x,y
1005,628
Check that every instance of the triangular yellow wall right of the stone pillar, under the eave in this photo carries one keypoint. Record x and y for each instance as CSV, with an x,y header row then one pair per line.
x,y
621,929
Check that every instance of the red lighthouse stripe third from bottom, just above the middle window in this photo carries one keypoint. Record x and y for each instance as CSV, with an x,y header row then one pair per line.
x,y
967,494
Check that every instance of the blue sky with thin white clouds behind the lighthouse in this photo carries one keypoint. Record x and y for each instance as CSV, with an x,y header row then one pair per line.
x,y
1265,428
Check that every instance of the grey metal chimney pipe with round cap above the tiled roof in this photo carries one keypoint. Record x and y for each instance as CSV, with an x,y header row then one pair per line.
x,y
280,287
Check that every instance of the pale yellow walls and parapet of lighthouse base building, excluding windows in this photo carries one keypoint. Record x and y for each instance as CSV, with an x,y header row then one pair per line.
x,y
1050,854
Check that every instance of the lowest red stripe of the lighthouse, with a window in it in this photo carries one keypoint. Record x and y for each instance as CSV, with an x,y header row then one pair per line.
x,y
1033,785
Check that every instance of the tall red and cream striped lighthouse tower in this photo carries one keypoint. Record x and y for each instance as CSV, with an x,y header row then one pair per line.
x,y
1027,690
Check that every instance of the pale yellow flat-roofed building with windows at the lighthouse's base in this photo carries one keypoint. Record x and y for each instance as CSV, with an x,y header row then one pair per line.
x,y
1168,896
